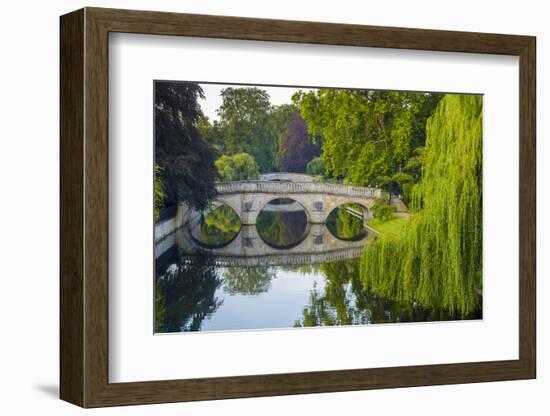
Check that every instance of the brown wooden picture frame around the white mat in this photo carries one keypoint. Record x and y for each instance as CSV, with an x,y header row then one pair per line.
x,y
84,207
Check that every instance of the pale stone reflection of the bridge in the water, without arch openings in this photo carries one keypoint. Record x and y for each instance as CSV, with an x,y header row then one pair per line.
x,y
249,250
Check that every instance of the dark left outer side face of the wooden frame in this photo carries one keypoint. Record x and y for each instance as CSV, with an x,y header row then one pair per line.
x,y
72,210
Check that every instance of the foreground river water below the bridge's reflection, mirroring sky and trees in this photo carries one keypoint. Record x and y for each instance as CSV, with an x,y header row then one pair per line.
x,y
196,296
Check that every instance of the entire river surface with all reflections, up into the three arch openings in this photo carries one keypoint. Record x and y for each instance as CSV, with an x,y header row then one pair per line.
x,y
281,273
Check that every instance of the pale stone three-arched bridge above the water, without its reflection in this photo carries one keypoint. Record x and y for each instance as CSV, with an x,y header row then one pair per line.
x,y
318,199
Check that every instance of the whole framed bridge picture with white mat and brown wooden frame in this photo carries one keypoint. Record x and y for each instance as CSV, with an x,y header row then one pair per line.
x,y
255,207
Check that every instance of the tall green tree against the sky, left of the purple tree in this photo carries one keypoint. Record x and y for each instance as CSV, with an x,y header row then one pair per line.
x,y
245,122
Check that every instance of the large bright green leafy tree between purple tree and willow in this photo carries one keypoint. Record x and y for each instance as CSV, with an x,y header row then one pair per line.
x,y
367,135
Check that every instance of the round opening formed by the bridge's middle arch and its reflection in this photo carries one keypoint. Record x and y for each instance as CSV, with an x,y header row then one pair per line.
x,y
282,223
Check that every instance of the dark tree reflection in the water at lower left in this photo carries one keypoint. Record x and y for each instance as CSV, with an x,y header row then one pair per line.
x,y
186,294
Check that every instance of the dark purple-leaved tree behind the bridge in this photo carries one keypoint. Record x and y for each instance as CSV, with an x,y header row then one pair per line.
x,y
298,148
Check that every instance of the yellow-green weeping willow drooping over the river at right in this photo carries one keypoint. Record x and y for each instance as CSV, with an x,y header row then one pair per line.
x,y
437,260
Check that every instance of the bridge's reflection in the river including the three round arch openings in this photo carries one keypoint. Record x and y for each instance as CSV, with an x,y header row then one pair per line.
x,y
282,236
